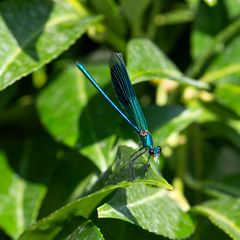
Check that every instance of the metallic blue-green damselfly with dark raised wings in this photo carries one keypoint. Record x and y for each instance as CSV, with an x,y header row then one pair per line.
x,y
131,110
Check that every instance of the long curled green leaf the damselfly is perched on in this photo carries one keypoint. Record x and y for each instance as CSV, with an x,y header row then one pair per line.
x,y
118,175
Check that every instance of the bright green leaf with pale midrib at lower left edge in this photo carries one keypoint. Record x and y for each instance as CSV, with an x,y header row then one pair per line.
x,y
19,200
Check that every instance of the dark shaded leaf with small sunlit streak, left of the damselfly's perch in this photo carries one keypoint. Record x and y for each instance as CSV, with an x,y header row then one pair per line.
x,y
73,173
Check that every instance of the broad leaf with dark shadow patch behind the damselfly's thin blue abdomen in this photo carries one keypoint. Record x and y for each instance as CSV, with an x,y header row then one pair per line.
x,y
72,111
